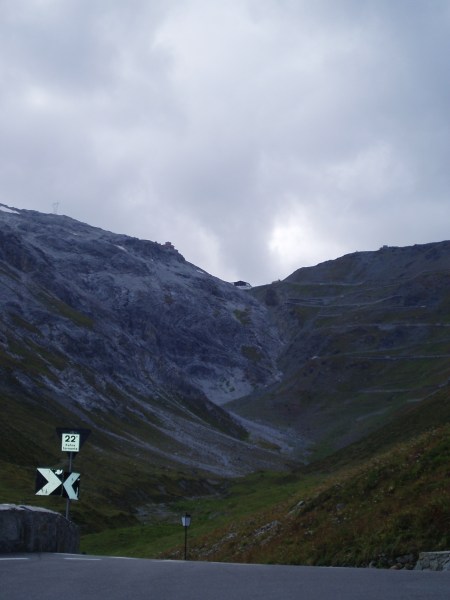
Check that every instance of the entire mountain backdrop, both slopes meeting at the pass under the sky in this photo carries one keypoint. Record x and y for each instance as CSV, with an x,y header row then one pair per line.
x,y
185,379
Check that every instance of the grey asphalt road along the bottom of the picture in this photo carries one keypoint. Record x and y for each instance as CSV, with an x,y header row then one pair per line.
x,y
79,577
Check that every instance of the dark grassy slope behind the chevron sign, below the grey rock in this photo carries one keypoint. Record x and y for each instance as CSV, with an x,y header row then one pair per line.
x,y
118,476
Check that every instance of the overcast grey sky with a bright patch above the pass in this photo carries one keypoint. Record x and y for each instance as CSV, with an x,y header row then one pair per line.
x,y
258,136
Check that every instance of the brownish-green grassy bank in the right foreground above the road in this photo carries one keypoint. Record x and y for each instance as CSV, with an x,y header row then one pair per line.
x,y
395,505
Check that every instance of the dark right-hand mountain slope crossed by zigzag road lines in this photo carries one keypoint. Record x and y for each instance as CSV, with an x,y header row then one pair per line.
x,y
364,336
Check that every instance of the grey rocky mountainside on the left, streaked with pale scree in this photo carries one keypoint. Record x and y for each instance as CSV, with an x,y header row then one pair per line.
x,y
111,332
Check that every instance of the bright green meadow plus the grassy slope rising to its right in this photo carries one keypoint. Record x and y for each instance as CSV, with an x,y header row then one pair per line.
x,y
379,501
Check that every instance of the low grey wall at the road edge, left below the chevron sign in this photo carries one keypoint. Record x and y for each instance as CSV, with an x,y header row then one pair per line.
x,y
33,529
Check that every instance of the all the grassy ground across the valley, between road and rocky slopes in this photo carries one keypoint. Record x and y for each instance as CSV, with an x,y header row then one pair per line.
x,y
383,497
